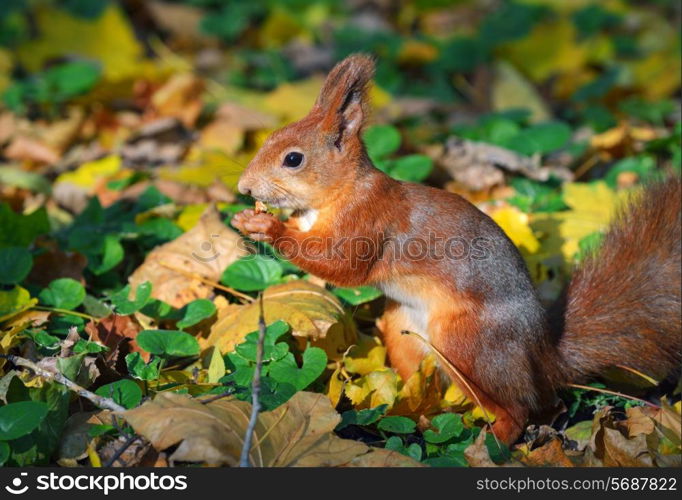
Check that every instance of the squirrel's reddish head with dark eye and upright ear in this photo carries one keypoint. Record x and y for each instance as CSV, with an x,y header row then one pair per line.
x,y
302,164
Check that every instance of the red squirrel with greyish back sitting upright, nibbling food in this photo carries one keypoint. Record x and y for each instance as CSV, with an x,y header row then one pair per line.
x,y
354,225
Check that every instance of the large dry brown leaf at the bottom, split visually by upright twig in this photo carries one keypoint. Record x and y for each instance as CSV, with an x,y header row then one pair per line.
x,y
298,433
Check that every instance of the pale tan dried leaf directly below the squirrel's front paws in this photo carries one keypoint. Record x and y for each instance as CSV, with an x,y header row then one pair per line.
x,y
205,250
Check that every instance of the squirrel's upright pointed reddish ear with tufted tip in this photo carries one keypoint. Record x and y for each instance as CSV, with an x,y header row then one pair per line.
x,y
343,98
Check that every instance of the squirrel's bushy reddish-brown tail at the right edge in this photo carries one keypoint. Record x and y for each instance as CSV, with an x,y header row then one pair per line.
x,y
622,306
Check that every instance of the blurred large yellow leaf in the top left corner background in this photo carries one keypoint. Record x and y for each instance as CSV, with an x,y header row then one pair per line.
x,y
108,39
